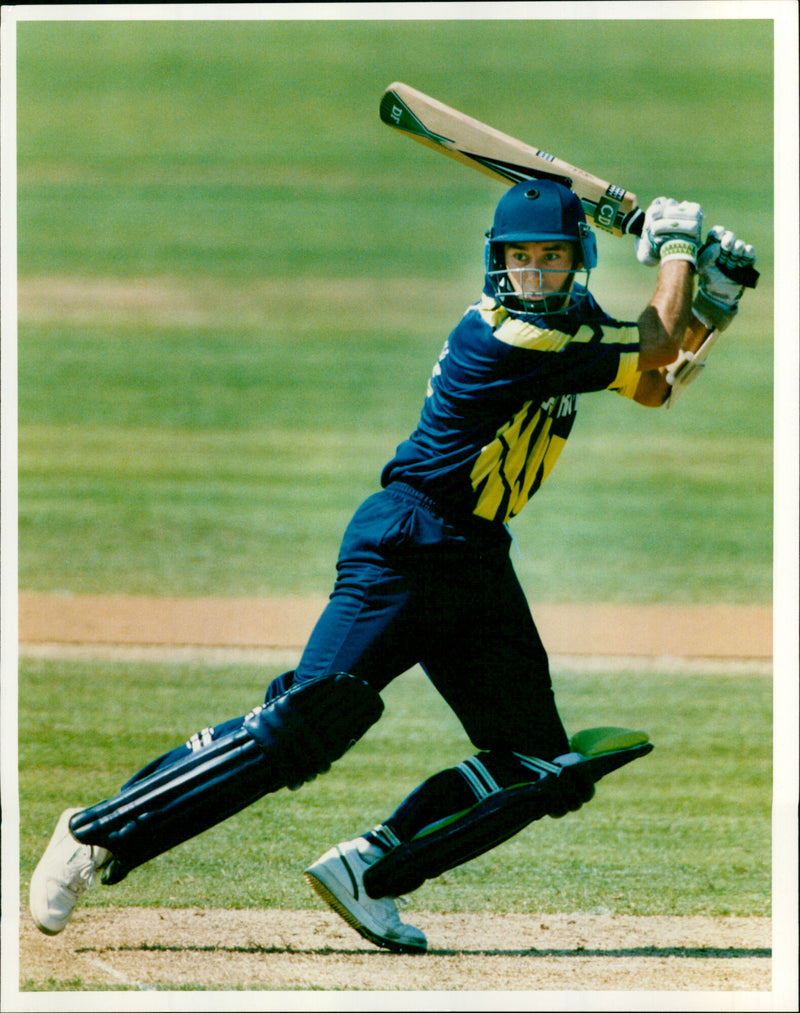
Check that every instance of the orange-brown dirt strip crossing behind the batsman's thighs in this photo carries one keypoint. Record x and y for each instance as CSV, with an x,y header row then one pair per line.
x,y
731,634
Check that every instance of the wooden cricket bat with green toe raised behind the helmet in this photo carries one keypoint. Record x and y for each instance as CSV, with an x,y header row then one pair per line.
x,y
510,161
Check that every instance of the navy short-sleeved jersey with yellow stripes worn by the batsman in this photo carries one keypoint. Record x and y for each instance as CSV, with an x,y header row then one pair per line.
x,y
502,402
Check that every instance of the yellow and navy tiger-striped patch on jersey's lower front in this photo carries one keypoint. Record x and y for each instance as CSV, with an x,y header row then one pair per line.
x,y
511,470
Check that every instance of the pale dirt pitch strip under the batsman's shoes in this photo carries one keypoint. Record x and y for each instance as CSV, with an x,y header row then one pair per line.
x,y
164,950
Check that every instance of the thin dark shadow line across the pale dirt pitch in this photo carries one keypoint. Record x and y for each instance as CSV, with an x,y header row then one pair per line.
x,y
687,953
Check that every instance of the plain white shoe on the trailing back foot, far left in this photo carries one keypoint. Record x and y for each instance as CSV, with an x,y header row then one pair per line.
x,y
64,873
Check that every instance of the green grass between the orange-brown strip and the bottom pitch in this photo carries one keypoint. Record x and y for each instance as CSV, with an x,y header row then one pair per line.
x,y
683,831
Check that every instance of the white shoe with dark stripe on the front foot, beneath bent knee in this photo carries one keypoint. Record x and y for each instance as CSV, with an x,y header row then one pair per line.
x,y
339,879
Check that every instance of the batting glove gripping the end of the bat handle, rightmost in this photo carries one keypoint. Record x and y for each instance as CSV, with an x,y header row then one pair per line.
x,y
717,299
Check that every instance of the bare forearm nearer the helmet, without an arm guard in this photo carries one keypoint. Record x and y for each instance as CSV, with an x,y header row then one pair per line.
x,y
666,323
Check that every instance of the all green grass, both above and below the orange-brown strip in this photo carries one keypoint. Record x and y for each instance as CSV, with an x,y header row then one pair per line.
x,y
234,282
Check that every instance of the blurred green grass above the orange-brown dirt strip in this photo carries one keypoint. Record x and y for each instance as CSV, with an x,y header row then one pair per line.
x,y
236,280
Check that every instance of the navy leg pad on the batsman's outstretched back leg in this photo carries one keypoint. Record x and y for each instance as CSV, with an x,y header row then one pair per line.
x,y
281,744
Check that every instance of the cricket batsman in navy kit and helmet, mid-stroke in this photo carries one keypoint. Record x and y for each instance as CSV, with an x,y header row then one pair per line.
x,y
425,578
